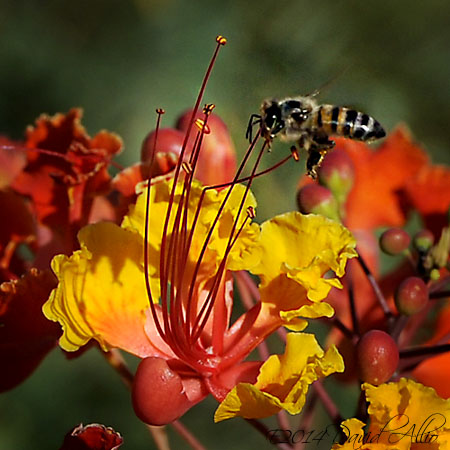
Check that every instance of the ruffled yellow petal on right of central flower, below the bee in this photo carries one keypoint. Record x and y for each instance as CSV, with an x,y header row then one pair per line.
x,y
298,253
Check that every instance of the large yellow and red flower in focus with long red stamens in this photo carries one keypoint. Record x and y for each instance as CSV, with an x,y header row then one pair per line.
x,y
160,286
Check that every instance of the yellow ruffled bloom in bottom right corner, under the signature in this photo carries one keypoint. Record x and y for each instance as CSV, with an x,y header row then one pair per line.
x,y
403,415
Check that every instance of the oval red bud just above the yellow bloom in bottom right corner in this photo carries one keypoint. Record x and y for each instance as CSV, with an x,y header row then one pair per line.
x,y
377,357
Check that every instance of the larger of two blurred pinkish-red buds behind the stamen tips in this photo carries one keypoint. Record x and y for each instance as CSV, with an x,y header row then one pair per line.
x,y
217,158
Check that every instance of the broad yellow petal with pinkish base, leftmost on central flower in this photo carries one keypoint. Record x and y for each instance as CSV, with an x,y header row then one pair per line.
x,y
101,292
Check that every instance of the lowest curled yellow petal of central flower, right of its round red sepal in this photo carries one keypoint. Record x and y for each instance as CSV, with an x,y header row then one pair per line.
x,y
283,381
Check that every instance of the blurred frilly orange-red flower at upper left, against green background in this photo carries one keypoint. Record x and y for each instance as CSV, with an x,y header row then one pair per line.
x,y
68,169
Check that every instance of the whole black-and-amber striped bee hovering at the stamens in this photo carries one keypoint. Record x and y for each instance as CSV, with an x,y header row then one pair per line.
x,y
303,121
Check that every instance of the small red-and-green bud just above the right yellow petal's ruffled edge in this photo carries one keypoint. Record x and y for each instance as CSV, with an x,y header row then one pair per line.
x,y
316,199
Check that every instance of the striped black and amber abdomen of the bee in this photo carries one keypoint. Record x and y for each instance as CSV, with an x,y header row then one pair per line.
x,y
341,121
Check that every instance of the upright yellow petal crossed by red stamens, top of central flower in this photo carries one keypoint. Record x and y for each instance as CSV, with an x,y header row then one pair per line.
x,y
243,254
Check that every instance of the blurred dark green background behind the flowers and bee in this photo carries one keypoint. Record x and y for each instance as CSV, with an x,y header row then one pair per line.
x,y
120,60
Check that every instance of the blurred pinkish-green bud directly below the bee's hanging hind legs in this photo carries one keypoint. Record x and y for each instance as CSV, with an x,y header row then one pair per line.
x,y
337,173
